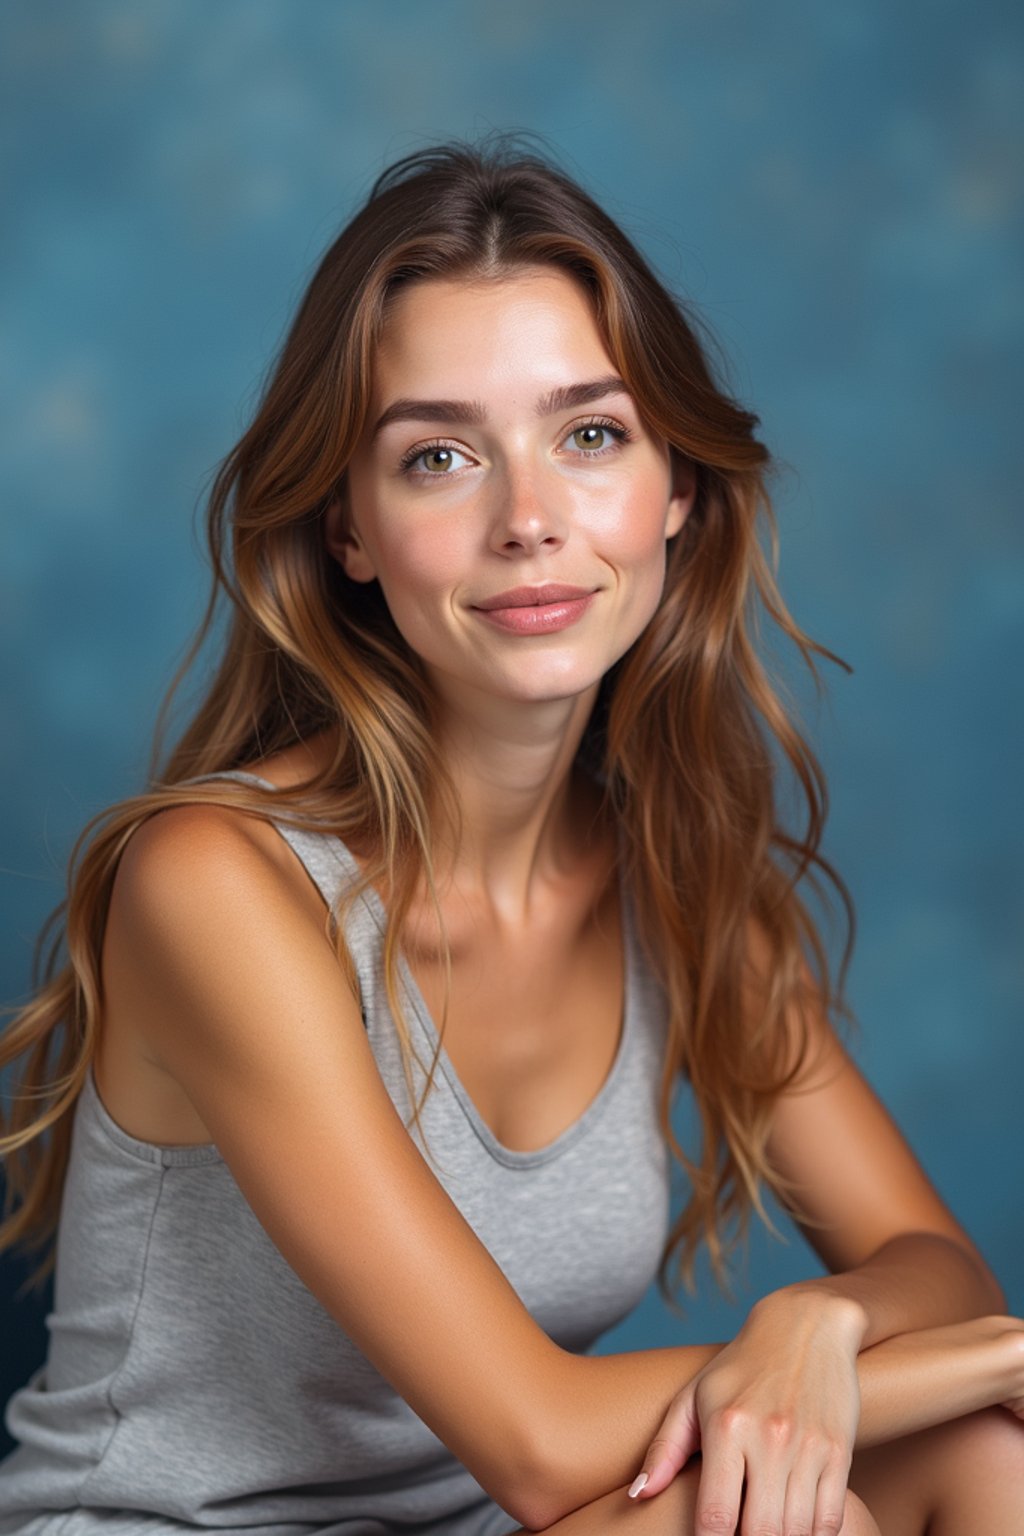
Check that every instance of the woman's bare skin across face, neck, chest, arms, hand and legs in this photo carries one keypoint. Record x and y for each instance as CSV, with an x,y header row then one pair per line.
x,y
523,491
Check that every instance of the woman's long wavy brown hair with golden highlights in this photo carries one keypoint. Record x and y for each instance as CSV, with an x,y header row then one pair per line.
x,y
687,738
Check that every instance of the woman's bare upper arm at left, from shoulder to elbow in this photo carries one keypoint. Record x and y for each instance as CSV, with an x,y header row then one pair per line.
x,y
225,964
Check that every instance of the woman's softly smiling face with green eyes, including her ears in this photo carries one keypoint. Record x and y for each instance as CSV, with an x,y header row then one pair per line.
x,y
506,492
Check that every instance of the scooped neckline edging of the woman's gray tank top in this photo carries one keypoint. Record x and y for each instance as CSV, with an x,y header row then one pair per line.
x,y
512,1157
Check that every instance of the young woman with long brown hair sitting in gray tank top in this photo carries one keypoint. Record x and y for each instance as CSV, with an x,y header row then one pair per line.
x,y
351,1110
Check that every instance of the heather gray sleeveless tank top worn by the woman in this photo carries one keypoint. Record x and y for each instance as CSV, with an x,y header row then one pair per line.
x,y
193,1382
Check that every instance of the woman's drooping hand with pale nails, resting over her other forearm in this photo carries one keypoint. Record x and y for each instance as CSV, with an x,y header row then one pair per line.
x,y
775,1417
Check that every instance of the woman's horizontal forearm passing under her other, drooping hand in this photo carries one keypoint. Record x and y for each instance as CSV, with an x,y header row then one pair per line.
x,y
601,1414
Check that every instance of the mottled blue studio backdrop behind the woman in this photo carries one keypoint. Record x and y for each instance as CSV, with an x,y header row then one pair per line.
x,y
837,188
